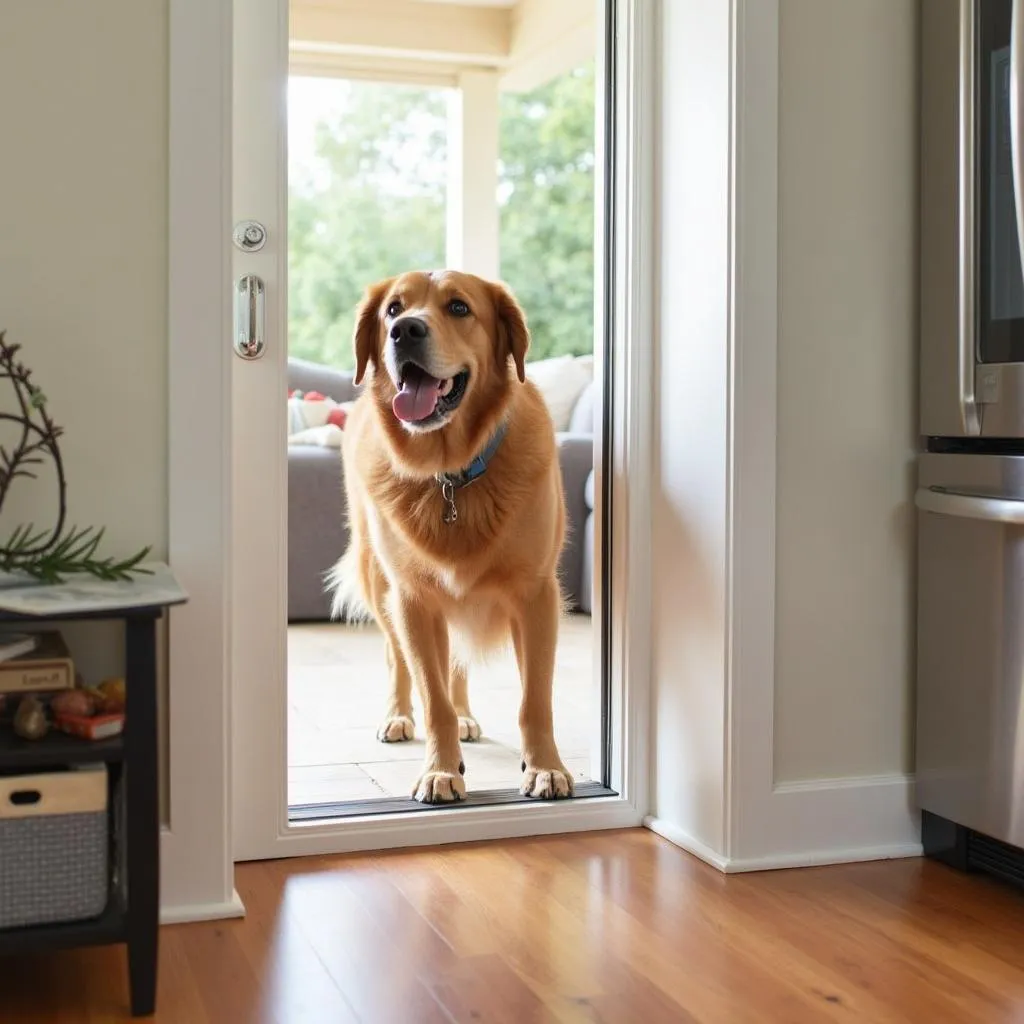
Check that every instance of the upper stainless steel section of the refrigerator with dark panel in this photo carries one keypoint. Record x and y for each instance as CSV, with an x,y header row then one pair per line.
x,y
972,220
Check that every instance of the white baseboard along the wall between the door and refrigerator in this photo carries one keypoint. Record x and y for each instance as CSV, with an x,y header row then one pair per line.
x,y
822,822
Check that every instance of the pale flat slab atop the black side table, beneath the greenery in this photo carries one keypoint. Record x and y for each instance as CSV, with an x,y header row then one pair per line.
x,y
84,593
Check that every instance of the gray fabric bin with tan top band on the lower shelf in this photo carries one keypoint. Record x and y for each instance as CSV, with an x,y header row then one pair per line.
x,y
54,847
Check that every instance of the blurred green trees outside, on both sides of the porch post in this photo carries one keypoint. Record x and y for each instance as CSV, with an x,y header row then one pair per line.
x,y
369,202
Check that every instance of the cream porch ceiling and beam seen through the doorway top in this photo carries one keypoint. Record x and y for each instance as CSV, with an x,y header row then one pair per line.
x,y
528,42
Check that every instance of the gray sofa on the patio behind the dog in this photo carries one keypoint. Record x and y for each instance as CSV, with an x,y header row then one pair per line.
x,y
318,533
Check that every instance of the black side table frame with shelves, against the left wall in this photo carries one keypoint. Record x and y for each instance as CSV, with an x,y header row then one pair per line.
x,y
133,912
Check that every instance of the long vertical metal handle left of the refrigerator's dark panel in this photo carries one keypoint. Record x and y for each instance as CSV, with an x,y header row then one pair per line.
x,y
966,370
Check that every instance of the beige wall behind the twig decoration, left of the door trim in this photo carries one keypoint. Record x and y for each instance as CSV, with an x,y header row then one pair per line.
x,y
83,268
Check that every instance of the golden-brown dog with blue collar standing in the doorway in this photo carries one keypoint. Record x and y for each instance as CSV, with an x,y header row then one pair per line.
x,y
457,516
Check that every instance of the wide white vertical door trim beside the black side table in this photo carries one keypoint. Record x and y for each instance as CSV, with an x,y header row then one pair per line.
x,y
197,874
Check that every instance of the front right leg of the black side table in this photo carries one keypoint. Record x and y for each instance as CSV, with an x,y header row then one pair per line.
x,y
143,819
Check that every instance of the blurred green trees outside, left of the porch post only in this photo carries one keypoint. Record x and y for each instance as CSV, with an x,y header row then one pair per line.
x,y
369,205
